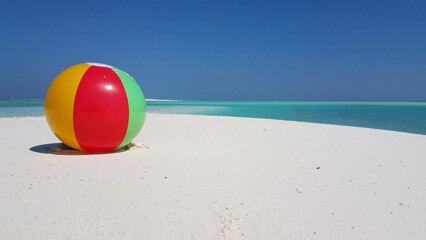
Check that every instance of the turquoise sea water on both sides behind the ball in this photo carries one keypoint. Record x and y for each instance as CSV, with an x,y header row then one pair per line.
x,y
398,116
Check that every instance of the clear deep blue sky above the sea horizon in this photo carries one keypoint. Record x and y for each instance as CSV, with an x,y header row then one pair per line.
x,y
222,49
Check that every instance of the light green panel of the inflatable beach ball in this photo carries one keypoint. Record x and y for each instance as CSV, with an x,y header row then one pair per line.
x,y
137,106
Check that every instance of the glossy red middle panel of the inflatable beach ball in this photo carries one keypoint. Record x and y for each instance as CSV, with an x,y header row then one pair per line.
x,y
101,111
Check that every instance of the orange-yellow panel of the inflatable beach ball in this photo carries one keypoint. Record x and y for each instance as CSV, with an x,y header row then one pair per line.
x,y
59,104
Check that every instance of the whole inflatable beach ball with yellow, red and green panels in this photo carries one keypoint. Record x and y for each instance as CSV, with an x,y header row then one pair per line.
x,y
95,108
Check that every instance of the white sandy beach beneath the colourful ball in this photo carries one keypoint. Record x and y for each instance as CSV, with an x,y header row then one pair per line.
x,y
199,177
